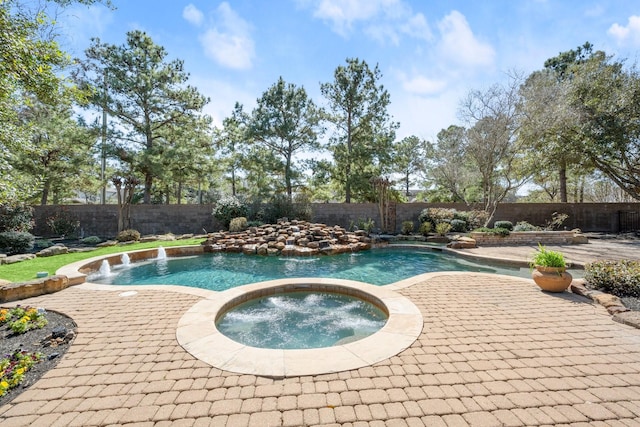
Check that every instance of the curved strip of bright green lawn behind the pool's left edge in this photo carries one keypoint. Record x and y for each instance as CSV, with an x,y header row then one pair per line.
x,y
27,270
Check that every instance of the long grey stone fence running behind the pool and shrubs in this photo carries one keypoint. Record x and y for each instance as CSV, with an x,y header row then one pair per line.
x,y
101,220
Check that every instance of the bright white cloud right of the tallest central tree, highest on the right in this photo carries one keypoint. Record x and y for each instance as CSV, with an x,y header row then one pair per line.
x,y
459,45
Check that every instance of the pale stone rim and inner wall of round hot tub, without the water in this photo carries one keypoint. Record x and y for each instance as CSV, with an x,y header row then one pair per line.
x,y
198,333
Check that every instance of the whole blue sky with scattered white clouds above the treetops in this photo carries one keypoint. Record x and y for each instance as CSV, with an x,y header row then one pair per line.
x,y
431,53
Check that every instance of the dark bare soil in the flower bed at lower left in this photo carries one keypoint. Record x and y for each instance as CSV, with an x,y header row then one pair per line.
x,y
36,340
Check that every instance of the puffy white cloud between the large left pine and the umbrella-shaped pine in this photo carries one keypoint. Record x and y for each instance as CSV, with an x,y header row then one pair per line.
x,y
229,41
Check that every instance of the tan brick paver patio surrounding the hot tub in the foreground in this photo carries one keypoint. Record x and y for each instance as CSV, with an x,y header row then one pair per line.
x,y
494,351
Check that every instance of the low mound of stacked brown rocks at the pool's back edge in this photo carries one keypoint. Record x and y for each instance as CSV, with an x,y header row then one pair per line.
x,y
299,238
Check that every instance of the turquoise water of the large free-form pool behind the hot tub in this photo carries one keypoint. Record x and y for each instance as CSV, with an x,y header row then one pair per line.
x,y
223,271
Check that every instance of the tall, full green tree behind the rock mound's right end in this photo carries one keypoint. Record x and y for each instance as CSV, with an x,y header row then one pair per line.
x,y
362,129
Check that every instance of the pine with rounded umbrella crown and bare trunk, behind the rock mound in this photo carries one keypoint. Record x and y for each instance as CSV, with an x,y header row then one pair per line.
x,y
286,121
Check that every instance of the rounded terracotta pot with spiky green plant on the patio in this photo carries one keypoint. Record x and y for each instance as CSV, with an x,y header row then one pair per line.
x,y
549,270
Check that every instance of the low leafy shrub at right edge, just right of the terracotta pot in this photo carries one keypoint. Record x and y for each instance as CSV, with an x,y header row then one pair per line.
x,y
620,278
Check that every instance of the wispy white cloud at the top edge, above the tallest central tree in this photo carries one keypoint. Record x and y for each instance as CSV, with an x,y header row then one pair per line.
x,y
383,20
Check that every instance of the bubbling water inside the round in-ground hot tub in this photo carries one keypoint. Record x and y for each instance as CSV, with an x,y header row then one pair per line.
x,y
301,320
